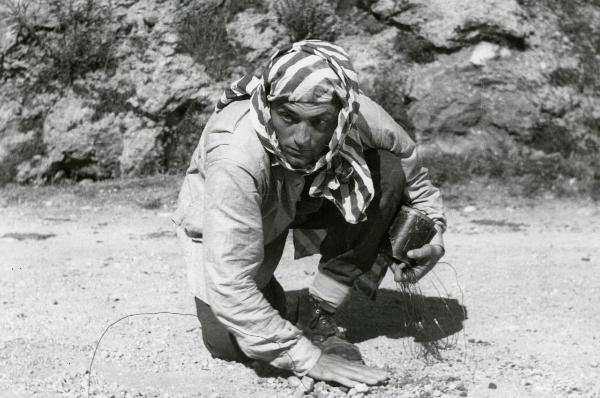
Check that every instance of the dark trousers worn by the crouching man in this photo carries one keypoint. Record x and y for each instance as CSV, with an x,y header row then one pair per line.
x,y
348,250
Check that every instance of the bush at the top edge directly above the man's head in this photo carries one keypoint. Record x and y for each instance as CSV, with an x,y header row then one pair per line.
x,y
307,19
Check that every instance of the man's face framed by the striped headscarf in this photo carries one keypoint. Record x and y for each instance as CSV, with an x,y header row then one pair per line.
x,y
304,130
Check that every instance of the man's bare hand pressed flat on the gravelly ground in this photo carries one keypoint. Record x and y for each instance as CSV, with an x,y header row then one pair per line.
x,y
348,373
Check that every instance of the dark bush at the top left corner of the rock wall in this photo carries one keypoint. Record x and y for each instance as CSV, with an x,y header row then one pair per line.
x,y
81,40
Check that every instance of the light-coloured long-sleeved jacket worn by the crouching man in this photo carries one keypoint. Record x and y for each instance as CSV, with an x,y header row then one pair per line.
x,y
234,201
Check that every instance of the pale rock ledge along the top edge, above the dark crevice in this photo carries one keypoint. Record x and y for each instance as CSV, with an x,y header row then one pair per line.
x,y
452,23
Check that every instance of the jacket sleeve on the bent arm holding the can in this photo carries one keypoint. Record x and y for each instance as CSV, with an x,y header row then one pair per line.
x,y
379,131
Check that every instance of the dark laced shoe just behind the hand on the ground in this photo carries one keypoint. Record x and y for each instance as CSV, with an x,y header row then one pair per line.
x,y
320,326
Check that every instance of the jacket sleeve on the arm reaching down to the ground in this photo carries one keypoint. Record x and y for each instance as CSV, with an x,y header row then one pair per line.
x,y
233,252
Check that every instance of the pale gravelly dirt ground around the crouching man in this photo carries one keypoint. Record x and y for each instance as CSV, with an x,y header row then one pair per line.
x,y
75,259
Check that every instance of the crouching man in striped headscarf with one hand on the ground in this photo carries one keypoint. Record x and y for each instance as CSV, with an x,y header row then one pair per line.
x,y
299,148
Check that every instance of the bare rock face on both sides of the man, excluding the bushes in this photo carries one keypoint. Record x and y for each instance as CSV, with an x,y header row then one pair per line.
x,y
467,76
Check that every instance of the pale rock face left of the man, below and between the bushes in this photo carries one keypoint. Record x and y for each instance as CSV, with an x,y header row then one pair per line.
x,y
108,124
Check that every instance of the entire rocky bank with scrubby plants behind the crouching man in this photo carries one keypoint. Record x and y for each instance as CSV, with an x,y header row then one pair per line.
x,y
529,113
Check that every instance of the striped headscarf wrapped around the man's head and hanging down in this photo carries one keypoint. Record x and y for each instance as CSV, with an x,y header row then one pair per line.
x,y
313,71
